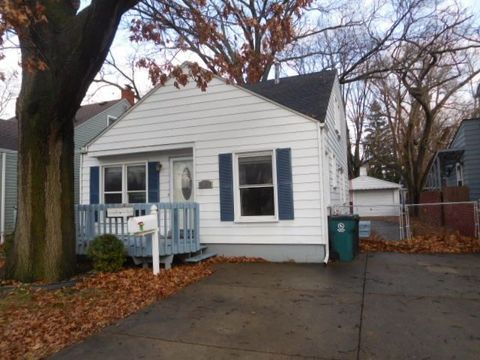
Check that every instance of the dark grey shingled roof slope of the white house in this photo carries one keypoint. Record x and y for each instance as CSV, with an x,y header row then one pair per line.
x,y
308,94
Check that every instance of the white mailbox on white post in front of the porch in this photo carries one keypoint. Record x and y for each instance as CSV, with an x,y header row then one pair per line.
x,y
148,225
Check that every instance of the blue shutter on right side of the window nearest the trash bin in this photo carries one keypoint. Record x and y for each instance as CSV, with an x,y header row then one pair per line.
x,y
284,184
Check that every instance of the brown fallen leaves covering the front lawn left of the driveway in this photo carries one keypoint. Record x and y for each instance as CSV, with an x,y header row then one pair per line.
x,y
35,323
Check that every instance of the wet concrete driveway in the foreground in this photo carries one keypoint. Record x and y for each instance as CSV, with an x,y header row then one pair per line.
x,y
381,306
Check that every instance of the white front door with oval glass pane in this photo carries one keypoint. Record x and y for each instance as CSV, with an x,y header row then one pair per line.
x,y
182,180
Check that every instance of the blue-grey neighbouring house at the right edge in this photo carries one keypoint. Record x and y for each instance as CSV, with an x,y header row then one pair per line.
x,y
459,164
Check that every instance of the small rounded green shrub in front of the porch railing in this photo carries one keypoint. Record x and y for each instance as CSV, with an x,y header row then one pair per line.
x,y
107,253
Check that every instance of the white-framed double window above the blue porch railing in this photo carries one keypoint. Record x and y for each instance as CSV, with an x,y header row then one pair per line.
x,y
125,184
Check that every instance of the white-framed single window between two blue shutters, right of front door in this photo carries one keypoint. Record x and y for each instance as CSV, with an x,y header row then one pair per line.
x,y
256,186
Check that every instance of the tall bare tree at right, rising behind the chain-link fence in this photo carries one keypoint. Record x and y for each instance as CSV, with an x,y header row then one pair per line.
x,y
421,97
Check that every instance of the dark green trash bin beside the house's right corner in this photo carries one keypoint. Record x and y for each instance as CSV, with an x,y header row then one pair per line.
x,y
344,236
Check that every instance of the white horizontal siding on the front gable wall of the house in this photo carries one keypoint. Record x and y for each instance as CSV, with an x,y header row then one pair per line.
x,y
223,119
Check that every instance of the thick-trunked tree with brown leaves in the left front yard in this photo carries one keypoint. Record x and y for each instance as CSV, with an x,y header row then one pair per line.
x,y
62,50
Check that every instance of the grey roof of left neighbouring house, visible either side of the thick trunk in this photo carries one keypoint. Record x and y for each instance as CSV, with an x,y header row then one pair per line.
x,y
9,130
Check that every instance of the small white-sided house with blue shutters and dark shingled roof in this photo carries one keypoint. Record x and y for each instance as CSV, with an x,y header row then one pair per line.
x,y
263,162
